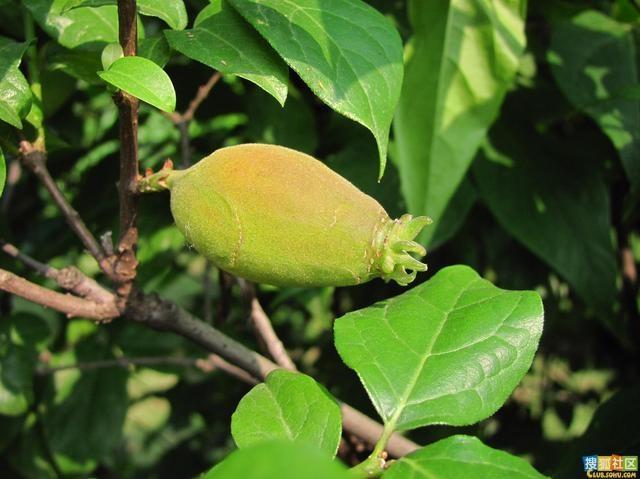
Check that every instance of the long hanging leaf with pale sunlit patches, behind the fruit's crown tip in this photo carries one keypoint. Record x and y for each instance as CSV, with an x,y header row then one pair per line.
x,y
465,54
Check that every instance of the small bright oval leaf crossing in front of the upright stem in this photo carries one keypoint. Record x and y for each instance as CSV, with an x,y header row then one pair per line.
x,y
143,79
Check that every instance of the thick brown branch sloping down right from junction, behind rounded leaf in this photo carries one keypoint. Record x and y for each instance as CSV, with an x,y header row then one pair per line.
x,y
165,316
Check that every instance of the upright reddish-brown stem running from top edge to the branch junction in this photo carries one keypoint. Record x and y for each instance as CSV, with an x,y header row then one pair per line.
x,y
126,263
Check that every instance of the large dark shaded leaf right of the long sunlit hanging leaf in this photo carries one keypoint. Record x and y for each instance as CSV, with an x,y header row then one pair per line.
x,y
555,202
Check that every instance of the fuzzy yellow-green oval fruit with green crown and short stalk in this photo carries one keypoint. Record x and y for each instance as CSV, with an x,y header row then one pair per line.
x,y
274,215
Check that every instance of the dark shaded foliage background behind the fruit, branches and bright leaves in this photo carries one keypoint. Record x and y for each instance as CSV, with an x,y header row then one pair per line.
x,y
580,396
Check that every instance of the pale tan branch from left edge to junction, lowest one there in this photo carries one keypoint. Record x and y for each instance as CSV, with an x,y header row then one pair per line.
x,y
70,305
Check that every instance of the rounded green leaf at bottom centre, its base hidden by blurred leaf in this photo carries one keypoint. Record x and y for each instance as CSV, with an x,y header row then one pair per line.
x,y
288,406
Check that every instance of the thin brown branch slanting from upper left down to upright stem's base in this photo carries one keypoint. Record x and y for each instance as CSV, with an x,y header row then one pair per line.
x,y
35,160
